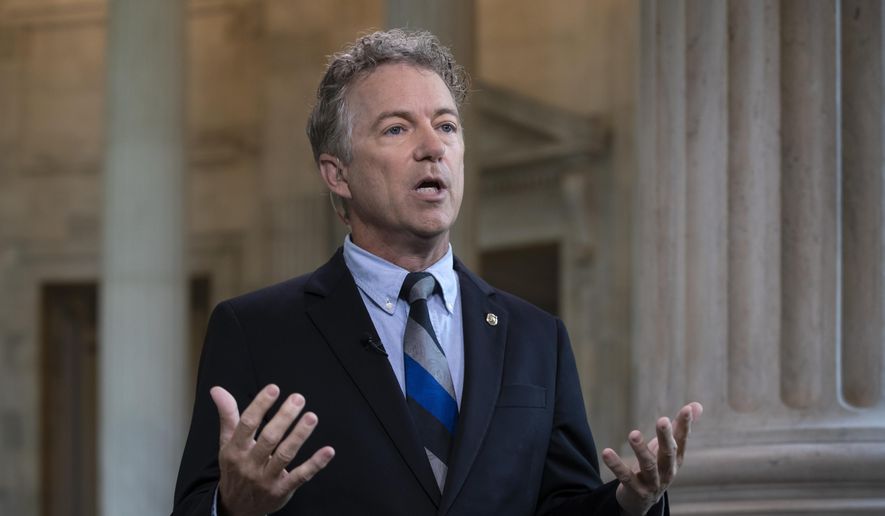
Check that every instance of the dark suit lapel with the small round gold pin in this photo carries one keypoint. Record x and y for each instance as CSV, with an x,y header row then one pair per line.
x,y
483,368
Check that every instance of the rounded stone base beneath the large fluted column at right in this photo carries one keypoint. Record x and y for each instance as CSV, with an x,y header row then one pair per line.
x,y
822,479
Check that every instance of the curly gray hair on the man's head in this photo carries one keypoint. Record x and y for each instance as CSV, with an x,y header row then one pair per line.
x,y
329,124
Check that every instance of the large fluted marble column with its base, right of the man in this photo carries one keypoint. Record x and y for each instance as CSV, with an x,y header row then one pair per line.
x,y
759,269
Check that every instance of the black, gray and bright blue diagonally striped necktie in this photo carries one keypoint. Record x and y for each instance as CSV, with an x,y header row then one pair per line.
x,y
430,393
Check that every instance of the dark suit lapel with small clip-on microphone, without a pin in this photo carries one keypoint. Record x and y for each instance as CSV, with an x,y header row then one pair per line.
x,y
341,317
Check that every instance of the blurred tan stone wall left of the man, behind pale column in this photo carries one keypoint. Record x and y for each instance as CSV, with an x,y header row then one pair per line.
x,y
255,212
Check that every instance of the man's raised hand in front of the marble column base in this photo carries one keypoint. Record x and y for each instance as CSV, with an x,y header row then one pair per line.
x,y
658,461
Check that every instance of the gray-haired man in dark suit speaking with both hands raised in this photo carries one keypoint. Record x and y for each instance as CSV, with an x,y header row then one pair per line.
x,y
438,393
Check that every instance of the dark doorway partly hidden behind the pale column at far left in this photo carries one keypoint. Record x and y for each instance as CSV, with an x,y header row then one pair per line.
x,y
69,380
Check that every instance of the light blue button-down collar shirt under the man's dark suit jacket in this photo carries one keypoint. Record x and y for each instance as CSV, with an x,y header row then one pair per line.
x,y
379,283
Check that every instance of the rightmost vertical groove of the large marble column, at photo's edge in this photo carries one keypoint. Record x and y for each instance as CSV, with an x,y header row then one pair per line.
x,y
863,141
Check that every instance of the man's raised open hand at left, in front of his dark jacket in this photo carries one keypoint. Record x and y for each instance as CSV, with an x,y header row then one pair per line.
x,y
254,479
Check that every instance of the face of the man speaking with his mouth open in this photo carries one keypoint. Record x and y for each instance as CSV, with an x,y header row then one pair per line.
x,y
406,179
